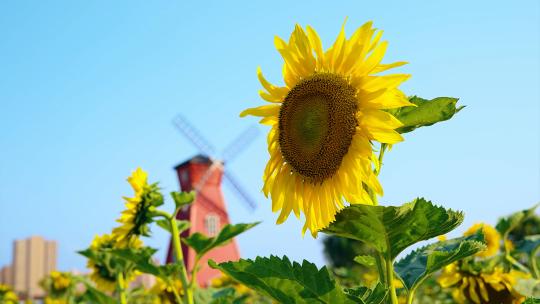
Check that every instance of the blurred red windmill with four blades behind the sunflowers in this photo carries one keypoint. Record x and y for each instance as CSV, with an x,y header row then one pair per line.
x,y
208,213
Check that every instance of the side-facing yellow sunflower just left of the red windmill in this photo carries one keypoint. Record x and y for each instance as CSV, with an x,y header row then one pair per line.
x,y
137,215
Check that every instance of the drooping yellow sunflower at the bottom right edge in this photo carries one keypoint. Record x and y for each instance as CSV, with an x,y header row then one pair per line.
x,y
494,287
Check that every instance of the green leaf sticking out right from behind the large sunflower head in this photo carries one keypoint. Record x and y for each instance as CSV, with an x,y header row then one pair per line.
x,y
426,112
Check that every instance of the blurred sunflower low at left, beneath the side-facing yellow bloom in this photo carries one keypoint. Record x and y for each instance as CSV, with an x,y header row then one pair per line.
x,y
103,272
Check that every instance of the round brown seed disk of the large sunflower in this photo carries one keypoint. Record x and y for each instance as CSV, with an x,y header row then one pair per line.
x,y
316,125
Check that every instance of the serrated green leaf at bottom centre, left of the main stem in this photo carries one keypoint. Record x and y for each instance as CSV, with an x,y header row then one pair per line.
x,y
284,281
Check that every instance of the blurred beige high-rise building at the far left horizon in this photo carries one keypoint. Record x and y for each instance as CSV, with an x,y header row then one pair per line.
x,y
33,258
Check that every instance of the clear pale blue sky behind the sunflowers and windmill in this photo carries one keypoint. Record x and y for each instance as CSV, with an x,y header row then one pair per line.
x,y
88,90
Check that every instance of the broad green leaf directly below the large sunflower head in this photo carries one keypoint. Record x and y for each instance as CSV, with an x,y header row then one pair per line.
x,y
390,229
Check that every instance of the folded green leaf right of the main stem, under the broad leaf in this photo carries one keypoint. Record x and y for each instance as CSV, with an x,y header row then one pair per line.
x,y
423,262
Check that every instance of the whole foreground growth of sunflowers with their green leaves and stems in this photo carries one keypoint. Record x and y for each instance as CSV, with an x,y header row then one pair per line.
x,y
331,124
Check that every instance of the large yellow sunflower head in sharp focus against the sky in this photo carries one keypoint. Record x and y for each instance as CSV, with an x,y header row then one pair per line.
x,y
324,120
